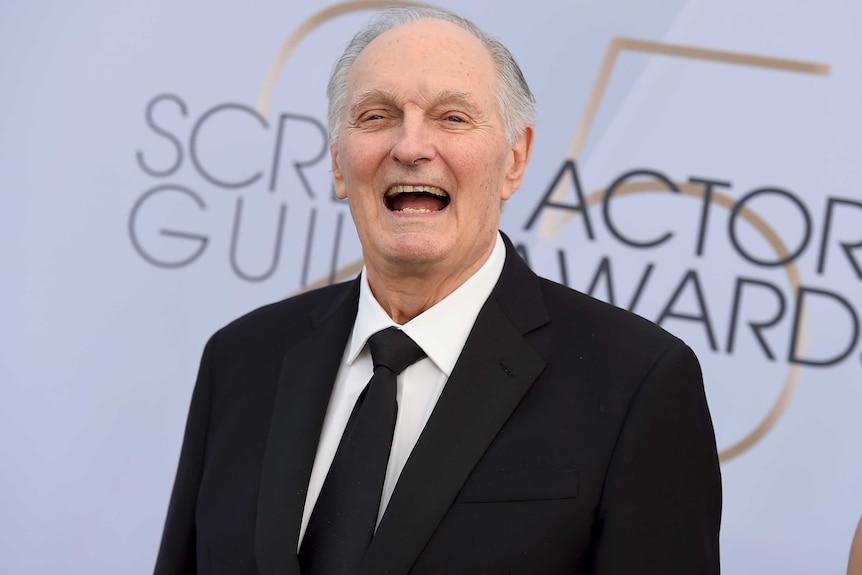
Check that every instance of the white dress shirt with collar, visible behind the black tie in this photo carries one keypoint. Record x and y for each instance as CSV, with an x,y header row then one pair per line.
x,y
441,332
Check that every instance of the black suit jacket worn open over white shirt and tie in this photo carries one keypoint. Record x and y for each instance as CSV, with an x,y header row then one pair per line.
x,y
571,437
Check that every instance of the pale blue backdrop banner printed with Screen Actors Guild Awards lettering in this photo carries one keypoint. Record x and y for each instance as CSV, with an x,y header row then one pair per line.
x,y
164,168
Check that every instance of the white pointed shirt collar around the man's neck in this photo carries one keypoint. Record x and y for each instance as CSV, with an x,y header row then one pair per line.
x,y
441,330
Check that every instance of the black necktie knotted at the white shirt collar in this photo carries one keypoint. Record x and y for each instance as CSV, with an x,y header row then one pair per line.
x,y
345,515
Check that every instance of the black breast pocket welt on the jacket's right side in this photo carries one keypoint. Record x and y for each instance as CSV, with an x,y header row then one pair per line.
x,y
519,486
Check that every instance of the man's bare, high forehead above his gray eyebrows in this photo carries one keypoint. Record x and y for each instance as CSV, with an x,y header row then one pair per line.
x,y
426,55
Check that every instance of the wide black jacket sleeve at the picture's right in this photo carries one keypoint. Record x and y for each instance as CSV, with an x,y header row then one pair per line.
x,y
660,509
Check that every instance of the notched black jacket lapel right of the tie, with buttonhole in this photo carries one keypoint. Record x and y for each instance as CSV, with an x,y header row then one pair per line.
x,y
496,368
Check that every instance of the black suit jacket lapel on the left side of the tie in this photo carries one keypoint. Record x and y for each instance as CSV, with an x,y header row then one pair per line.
x,y
307,375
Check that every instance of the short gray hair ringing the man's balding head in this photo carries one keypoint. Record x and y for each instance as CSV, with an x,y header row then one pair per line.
x,y
514,99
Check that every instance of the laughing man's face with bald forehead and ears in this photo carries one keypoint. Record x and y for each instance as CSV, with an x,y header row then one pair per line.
x,y
422,156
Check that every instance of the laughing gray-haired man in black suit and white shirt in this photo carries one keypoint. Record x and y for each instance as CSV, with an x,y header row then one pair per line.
x,y
544,431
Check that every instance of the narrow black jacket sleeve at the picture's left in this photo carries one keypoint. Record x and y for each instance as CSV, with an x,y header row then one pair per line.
x,y
177,553
